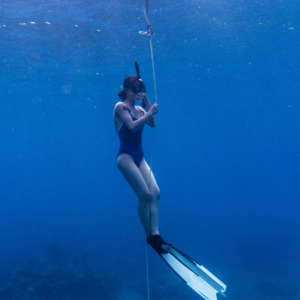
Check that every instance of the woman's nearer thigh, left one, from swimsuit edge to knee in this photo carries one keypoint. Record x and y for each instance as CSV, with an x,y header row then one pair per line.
x,y
133,175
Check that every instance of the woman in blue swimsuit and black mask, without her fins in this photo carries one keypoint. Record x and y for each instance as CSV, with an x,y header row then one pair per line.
x,y
129,121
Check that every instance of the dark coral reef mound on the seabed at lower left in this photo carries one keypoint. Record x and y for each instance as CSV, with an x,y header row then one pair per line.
x,y
56,276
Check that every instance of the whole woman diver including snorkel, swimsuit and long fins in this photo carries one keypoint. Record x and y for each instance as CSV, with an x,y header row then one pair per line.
x,y
129,122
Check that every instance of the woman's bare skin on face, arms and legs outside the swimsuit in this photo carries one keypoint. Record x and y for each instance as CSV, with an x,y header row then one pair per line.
x,y
139,178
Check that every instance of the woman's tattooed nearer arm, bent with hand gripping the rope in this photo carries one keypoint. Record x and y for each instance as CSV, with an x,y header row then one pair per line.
x,y
137,124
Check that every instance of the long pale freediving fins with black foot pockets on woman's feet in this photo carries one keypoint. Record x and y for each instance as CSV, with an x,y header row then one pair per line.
x,y
193,274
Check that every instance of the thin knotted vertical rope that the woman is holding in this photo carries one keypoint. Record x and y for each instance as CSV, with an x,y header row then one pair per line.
x,y
149,33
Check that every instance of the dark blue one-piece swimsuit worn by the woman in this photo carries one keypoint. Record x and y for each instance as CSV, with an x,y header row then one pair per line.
x,y
131,141
